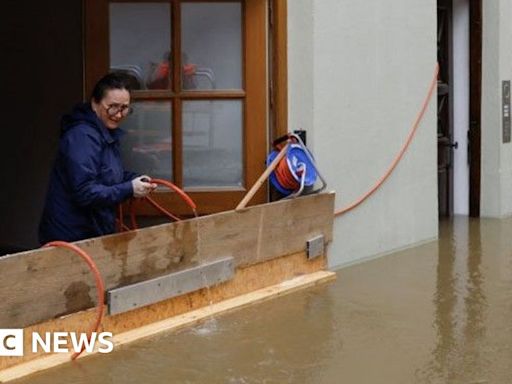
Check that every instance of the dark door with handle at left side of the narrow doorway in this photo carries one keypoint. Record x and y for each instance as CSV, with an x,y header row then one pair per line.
x,y
445,144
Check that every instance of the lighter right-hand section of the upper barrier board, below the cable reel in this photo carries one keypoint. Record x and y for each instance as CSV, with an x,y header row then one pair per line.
x,y
262,235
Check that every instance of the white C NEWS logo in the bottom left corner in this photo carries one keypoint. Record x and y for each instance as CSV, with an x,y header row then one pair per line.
x,y
12,342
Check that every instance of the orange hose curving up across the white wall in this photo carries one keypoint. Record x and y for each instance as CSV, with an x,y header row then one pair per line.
x,y
400,154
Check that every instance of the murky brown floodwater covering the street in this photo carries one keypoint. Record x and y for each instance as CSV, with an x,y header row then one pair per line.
x,y
437,313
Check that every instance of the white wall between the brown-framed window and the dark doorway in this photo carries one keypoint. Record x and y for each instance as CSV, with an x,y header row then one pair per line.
x,y
356,87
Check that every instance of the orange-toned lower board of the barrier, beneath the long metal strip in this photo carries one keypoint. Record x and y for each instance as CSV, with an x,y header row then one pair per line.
x,y
246,280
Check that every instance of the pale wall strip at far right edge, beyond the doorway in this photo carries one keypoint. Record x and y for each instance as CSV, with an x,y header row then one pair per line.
x,y
496,195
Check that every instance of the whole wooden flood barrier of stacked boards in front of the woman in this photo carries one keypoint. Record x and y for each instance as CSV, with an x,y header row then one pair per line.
x,y
52,289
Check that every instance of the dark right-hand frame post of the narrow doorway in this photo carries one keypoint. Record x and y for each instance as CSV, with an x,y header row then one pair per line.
x,y
475,102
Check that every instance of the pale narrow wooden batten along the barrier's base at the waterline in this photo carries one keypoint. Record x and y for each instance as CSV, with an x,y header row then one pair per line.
x,y
175,323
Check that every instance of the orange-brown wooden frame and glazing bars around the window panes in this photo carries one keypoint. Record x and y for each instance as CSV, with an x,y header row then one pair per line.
x,y
254,96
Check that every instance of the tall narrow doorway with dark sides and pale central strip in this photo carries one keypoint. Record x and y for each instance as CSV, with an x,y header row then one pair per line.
x,y
458,111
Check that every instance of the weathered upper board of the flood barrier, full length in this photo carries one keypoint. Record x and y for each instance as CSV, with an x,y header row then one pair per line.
x,y
46,283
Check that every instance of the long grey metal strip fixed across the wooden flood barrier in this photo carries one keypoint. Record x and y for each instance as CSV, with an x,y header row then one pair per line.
x,y
164,287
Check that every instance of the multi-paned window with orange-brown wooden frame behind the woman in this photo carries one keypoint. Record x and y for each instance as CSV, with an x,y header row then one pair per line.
x,y
199,72
